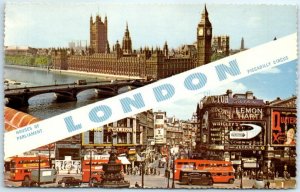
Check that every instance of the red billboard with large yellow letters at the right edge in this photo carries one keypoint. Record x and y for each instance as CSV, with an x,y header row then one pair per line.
x,y
284,125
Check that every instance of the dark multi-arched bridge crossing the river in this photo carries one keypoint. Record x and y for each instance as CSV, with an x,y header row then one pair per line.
x,y
18,97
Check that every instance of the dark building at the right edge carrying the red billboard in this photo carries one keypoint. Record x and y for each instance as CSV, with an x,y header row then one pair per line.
x,y
282,122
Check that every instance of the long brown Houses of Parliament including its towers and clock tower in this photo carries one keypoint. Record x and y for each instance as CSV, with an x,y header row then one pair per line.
x,y
147,63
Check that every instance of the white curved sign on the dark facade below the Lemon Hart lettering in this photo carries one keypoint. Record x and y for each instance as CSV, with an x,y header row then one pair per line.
x,y
249,134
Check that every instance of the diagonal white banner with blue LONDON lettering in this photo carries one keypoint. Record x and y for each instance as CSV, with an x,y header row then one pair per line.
x,y
191,82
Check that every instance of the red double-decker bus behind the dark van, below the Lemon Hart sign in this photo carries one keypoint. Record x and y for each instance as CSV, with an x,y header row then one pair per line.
x,y
222,171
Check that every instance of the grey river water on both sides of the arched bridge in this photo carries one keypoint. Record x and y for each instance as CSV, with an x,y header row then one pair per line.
x,y
44,106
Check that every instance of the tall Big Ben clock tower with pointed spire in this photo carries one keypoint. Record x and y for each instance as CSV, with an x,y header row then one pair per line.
x,y
204,35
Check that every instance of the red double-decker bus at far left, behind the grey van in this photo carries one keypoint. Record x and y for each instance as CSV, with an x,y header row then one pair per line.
x,y
20,167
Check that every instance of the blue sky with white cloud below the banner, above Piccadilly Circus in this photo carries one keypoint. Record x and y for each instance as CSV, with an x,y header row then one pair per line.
x,y
267,85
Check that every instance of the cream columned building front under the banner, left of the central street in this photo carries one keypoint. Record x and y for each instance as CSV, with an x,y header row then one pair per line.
x,y
126,135
